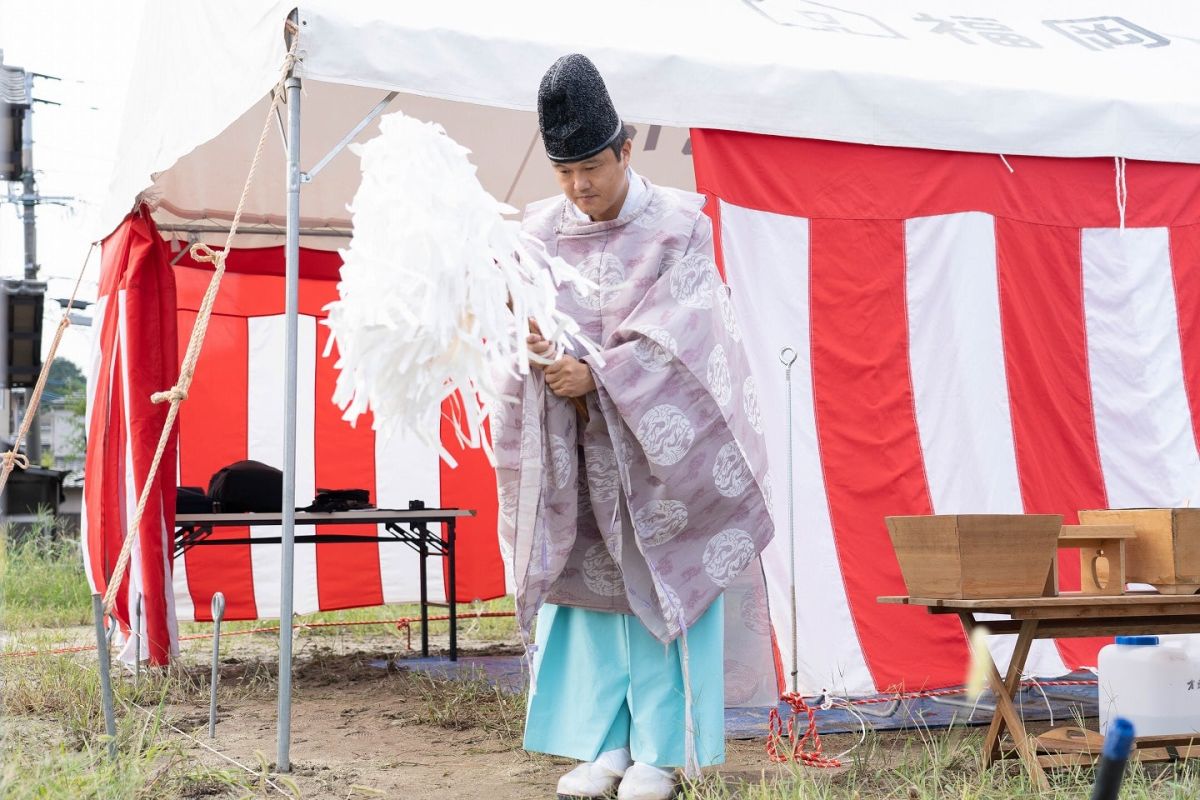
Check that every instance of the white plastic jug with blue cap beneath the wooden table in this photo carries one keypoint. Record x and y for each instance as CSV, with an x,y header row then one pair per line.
x,y
1156,687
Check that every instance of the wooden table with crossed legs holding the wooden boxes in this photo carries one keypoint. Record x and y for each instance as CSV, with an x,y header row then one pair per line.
x,y
1065,617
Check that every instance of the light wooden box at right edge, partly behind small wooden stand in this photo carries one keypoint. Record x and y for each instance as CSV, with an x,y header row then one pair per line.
x,y
1166,552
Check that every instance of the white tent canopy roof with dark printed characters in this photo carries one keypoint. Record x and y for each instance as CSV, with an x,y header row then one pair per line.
x,y
1066,79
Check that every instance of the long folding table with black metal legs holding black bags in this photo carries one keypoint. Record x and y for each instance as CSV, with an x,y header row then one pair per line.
x,y
404,526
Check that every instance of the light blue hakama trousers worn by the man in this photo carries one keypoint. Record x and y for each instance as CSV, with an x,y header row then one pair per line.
x,y
604,683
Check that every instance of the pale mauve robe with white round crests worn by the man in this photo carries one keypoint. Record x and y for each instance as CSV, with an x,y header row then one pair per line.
x,y
662,500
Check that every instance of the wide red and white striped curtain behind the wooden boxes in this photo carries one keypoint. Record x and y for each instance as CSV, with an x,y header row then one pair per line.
x,y
975,336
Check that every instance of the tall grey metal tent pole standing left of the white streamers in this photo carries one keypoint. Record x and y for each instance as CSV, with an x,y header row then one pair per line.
x,y
292,280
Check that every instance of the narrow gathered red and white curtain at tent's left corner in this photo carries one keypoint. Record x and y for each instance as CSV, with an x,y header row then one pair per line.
x,y
134,356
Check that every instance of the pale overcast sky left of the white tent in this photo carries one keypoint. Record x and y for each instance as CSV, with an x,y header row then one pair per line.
x,y
91,47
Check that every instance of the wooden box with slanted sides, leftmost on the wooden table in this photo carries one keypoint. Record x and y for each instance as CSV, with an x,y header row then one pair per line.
x,y
976,557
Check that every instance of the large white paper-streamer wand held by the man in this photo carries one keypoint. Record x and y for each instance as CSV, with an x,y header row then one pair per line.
x,y
424,311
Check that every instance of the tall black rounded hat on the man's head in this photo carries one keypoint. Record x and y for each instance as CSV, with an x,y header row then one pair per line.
x,y
575,113
